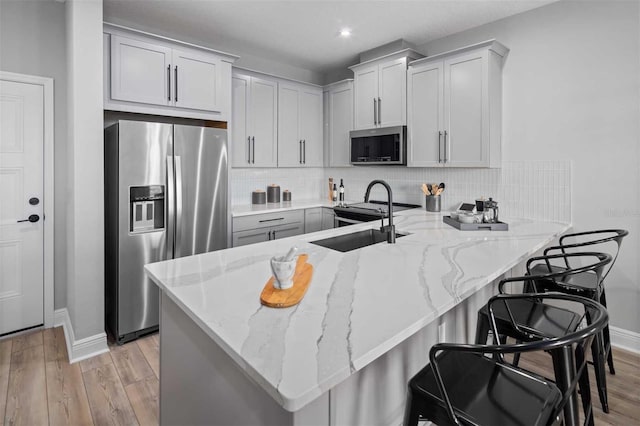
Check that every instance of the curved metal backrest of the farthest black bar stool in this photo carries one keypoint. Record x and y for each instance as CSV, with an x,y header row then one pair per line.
x,y
603,240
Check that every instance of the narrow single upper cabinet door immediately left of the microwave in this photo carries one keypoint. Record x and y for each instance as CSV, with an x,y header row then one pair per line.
x,y
340,124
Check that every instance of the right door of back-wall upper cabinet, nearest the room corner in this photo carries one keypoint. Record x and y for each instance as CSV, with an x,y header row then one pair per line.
x,y
310,126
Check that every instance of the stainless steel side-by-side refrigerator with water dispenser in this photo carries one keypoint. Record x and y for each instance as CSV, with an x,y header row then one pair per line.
x,y
165,197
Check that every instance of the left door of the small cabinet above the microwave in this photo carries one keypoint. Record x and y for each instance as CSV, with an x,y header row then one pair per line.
x,y
366,92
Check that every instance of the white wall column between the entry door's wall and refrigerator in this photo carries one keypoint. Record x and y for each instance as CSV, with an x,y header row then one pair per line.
x,y
85,218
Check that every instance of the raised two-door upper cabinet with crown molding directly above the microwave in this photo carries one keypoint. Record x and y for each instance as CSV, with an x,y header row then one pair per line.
x,y
380,88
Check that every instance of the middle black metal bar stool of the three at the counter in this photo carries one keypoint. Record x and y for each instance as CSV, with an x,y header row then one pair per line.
x,y
537,321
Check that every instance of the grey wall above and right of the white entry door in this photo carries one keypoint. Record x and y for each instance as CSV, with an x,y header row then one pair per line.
x,y
32,41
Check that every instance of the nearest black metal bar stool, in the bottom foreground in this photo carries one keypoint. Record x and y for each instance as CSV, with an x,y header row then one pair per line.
x,y
462,386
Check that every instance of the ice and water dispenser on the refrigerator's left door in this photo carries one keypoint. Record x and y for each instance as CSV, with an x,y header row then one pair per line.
x,y
146,208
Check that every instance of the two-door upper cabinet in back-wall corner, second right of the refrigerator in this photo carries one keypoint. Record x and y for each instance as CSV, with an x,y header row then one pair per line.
x,y
300,142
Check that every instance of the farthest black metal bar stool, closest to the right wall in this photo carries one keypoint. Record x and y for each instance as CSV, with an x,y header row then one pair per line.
x,y
571,243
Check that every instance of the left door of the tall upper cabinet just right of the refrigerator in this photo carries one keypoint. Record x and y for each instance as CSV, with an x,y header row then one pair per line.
x,y
240,142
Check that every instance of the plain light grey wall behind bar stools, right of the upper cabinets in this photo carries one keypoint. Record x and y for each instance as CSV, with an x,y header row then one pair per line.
x,y
571,92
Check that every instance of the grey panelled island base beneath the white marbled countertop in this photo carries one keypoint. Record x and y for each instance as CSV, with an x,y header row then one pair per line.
x,y
201,384
